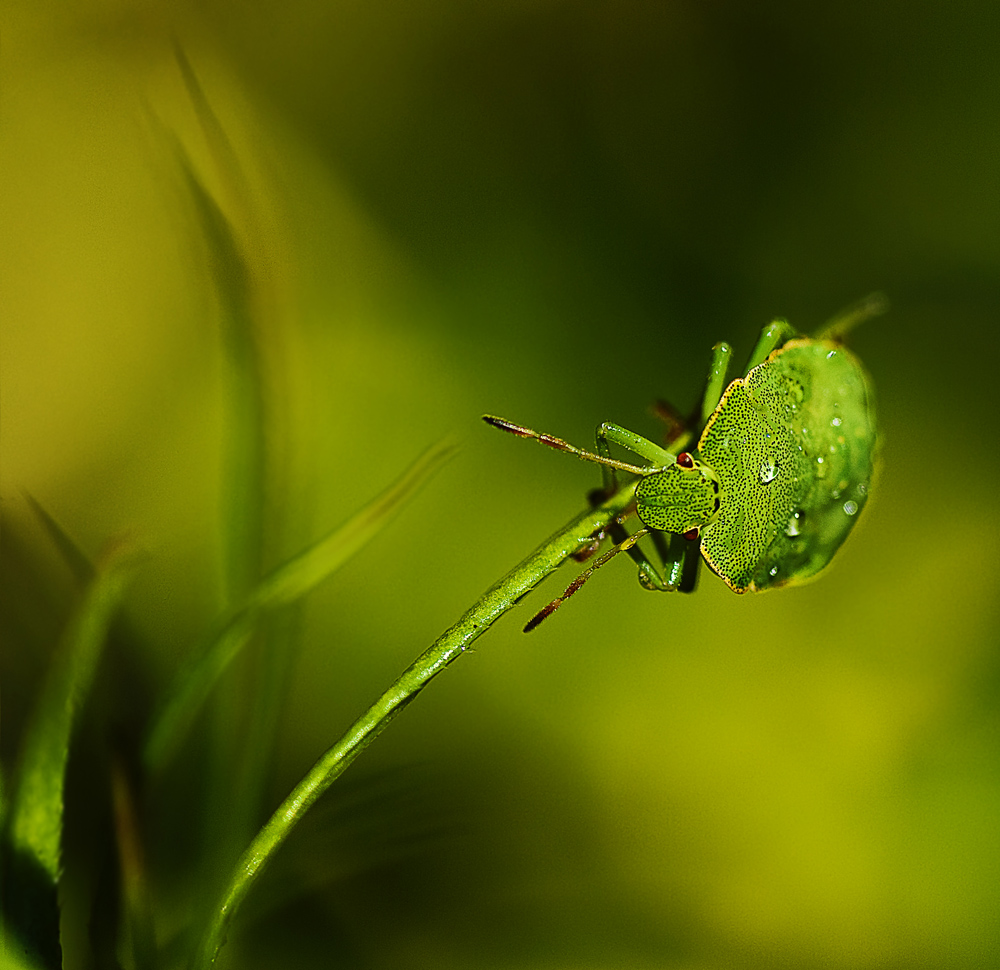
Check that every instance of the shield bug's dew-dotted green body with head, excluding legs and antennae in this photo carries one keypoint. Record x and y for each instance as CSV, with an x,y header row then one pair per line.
x,y
790,446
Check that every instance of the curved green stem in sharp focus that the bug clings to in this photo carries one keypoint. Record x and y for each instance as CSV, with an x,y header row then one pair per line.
x,y
446,649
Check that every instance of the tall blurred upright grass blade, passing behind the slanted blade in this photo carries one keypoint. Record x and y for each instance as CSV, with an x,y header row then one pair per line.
x,y
243,265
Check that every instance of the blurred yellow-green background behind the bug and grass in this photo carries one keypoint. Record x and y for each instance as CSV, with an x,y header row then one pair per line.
x,y
550,211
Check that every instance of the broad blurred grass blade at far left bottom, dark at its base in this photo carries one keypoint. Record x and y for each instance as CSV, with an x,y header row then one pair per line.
x,y
33,837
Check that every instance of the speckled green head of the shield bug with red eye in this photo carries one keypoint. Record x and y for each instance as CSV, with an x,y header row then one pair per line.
x,y
681,497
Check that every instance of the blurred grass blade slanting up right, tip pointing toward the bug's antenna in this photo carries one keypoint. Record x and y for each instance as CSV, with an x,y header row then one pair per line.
x,y
284,585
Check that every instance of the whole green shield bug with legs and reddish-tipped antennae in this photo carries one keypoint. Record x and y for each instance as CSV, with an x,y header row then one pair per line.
x,y
777,479
